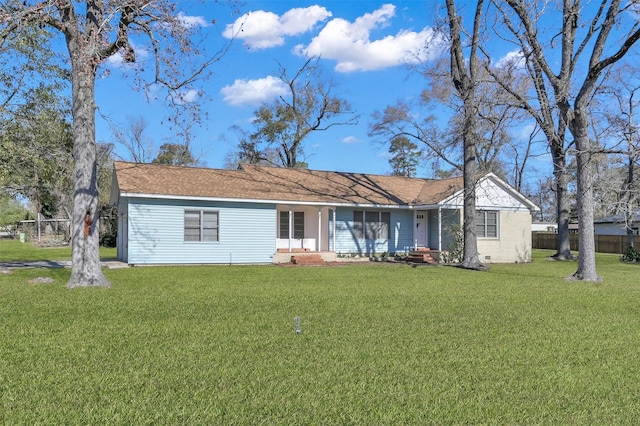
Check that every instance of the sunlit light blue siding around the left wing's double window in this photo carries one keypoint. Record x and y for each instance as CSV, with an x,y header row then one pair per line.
x,y
156,233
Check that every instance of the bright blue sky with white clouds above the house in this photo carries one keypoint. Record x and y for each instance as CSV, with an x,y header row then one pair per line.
x,y
370,48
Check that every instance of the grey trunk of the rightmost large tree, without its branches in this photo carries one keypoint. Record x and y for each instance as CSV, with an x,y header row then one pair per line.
x,y
586,239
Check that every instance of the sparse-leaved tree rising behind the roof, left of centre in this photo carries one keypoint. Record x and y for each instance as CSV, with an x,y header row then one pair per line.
x,y
283,125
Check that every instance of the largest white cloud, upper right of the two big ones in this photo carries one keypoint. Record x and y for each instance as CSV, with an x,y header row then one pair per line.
x,y
350,45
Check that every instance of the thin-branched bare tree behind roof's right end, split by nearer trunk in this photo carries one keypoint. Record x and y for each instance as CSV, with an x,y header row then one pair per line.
x,y
495,120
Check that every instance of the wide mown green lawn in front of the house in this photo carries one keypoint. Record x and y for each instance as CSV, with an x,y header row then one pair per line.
x,y
380,344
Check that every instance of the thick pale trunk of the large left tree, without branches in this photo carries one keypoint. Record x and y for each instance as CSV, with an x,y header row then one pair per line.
x,y
86,270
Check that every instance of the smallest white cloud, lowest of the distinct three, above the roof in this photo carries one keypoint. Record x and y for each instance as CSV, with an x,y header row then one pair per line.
x,y
253,92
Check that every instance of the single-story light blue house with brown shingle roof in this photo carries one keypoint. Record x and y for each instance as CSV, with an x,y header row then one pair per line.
x,y
179,215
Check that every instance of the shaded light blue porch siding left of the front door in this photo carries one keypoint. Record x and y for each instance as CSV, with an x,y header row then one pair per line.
x,y
400,234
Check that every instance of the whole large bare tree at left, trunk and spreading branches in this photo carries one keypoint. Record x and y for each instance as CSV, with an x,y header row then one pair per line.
x,y
93,31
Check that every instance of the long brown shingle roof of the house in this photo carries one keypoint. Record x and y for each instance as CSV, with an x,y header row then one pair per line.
x,y
280,184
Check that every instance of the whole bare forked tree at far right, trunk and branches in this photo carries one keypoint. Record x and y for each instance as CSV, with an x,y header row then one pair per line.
x,y
610,16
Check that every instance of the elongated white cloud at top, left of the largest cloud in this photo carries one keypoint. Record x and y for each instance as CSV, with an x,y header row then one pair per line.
x,y
261,30
